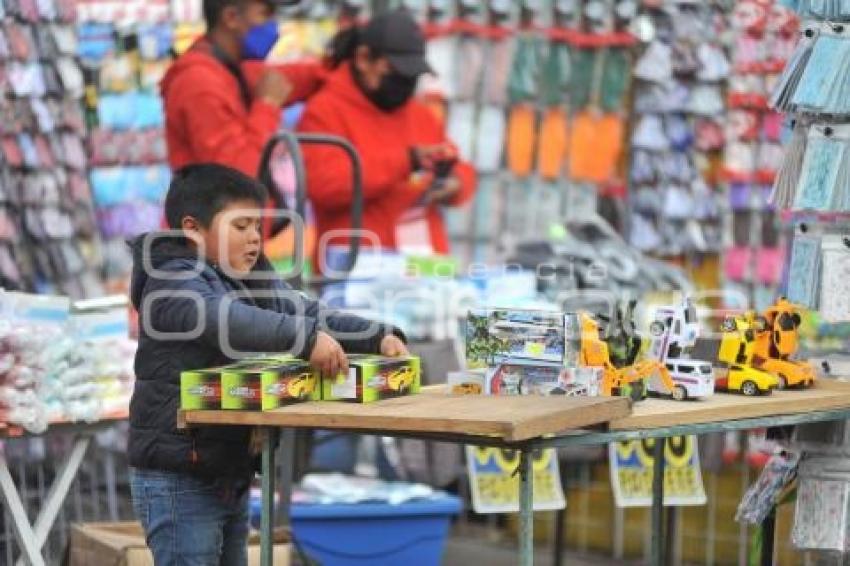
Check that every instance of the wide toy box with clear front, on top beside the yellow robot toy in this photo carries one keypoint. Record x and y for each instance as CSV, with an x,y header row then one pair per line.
x,y
498,336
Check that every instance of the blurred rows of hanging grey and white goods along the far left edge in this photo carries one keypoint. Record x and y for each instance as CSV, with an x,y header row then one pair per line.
x,y
48,240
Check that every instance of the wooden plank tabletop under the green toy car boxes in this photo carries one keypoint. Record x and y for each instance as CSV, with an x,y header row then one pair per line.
x,y
511,419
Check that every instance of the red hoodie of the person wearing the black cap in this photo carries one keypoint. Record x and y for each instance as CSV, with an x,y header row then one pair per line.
x,y
383,140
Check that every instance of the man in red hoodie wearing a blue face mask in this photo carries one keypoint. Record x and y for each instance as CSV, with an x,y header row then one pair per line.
x,y
222,103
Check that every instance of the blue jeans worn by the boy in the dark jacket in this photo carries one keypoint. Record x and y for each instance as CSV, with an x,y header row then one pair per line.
x,y
190,521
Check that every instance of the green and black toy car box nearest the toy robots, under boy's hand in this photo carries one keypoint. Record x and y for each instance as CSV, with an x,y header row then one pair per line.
x,y
372,378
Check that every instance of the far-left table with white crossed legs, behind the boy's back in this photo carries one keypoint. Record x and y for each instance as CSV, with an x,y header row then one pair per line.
x,y
33,536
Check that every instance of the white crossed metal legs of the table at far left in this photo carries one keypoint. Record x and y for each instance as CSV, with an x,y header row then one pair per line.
x,y
33,538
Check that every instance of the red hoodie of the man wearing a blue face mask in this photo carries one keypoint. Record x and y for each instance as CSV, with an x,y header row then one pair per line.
x,y
206,117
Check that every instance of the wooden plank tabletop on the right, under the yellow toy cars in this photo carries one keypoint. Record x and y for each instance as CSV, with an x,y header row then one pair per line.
x,y
826,395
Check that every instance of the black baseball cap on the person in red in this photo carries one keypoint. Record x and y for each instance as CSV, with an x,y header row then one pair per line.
x,y
397,36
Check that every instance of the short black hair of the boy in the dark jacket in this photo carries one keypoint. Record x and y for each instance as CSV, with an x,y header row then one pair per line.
x,y
202,191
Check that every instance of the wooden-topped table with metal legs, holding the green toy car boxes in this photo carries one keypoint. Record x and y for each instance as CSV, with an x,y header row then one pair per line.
x,y
517,422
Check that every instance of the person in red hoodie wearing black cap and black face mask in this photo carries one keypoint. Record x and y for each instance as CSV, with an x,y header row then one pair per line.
x,y
410,169
